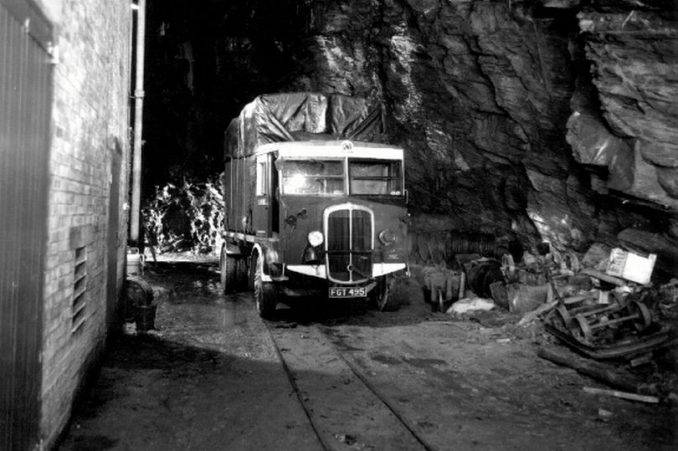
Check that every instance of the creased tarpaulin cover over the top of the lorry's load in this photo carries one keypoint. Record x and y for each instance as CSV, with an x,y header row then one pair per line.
x,y
302,116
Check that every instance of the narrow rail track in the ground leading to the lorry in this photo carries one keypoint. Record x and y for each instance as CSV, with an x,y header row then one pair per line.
x,y
346,410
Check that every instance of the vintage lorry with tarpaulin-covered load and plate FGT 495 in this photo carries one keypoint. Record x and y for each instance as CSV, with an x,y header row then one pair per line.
x,y
315,205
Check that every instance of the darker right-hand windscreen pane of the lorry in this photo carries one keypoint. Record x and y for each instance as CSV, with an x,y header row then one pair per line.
x,y
376,177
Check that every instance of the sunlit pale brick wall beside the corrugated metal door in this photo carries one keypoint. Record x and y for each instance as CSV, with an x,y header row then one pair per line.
x,y
90,124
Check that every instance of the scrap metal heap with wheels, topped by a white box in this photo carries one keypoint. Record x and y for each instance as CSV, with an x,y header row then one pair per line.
x,y
603,310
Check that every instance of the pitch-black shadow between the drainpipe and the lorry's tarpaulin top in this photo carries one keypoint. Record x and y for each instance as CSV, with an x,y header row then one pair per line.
x,y
203,63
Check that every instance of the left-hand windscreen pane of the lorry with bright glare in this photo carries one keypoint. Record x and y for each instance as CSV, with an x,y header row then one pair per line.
x,y
313,177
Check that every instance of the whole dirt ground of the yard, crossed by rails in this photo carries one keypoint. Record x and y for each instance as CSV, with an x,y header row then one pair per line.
x,y
209,377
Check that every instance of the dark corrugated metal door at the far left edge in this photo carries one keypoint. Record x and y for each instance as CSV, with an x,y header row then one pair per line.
x,y
25,104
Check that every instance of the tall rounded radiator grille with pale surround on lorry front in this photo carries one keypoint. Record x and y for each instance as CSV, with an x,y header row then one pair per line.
x,y
349,245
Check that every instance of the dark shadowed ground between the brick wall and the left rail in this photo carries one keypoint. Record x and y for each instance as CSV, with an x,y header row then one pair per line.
x,y
156,394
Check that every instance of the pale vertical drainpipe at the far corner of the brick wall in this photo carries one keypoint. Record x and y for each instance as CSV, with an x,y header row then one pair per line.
x,y
138,117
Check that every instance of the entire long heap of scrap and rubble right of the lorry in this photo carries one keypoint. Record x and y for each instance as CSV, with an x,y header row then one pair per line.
x,y
604,305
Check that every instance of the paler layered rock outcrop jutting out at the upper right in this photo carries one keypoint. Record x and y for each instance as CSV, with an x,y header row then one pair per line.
x,y
628,123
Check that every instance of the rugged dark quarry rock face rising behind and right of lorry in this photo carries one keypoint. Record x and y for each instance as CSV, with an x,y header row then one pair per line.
x,y
550,120
